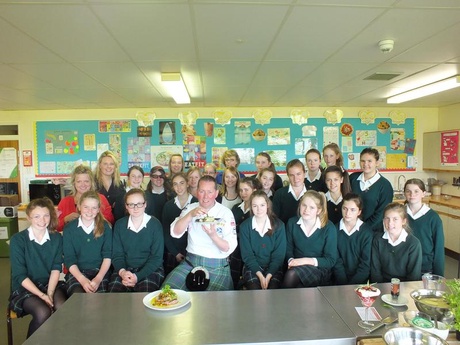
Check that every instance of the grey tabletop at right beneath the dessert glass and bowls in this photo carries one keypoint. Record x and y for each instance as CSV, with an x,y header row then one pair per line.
x,y
344,300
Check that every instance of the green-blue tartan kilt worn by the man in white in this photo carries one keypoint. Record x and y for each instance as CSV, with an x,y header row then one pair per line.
x,y
219,273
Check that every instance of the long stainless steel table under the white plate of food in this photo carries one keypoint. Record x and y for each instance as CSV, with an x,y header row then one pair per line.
x,y
288,316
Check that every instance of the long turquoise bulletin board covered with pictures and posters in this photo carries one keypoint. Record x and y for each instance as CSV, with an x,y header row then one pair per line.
x,y
60,145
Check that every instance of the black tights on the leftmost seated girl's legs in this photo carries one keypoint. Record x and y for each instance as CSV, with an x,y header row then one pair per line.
x,y
40,311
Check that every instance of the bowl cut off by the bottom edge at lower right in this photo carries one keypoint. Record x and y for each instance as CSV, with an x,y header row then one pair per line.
x,y
408,335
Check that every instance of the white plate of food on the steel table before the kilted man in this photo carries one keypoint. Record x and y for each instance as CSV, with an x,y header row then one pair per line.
x,y
167,299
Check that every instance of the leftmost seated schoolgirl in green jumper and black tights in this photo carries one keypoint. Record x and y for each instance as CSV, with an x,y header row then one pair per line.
x,y
36,262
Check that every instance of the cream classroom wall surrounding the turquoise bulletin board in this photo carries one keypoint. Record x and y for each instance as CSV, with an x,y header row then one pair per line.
x,y
426,120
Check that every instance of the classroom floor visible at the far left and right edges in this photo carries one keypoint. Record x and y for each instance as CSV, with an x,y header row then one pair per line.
x,y
20,325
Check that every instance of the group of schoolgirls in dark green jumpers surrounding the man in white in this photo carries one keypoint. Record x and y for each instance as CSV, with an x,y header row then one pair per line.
x,y
309,233
